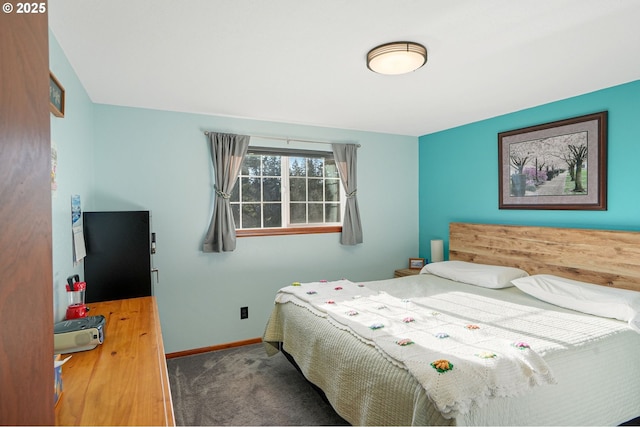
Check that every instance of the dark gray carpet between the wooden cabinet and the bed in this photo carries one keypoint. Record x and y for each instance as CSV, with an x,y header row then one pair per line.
x,y
243,386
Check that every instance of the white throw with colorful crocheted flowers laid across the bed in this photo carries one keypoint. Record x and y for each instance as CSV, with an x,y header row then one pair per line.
x,y
459,364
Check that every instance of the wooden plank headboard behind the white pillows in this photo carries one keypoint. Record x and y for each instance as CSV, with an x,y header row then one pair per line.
x,y
603,257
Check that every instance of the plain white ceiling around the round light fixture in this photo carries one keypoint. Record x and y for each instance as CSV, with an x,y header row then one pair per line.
x,y
303,61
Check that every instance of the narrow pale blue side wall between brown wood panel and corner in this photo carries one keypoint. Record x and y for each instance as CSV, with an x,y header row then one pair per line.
x,y
73,138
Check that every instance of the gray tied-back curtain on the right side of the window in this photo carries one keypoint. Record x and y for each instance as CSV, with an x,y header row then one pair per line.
x,y
346,160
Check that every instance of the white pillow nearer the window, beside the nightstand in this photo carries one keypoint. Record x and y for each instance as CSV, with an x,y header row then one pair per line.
x,y
487,276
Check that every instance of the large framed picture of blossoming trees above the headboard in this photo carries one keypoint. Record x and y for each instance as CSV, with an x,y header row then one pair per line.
x,y
557,165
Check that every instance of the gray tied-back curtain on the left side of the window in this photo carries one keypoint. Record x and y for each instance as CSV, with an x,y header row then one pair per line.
x,y
227,153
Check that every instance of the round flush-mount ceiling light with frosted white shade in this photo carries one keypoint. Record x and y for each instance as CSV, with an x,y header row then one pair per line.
x,y
396,58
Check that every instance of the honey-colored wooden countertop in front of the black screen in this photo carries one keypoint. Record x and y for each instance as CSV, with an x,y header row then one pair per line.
x,y
123,381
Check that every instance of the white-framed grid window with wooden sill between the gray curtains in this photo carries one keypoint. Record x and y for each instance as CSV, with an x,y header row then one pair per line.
x,y
286,192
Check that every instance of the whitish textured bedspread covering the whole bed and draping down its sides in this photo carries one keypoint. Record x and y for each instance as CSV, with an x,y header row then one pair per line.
x,y
592,358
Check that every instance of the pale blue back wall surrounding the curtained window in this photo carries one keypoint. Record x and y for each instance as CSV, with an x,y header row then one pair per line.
x,y
157,160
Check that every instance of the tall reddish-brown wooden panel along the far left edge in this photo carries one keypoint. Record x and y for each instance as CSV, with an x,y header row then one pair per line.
x,y
26,288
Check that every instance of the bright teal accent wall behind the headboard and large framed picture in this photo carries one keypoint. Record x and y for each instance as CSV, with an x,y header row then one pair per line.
x,y
459,168
